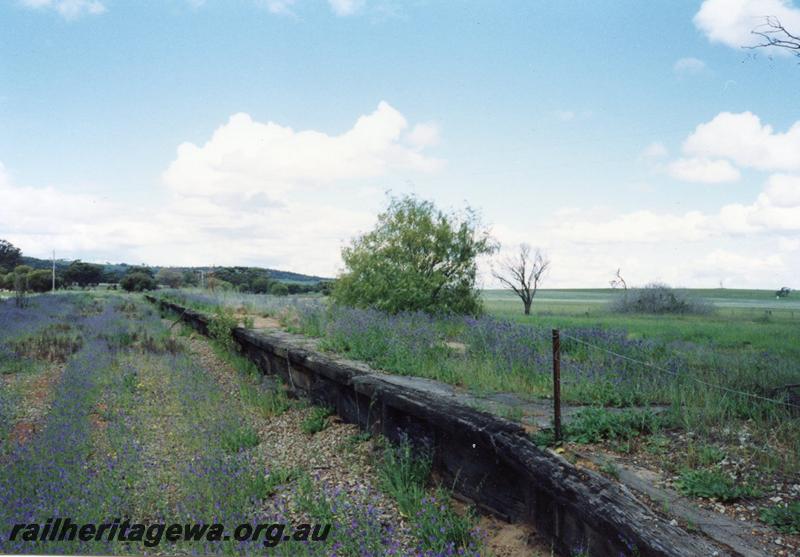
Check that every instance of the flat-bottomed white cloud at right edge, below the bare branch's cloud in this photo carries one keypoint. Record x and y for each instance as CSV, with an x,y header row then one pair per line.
x,y
743,139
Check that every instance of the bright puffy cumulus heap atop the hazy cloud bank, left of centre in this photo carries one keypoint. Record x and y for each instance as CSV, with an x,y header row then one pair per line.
x,y
244,157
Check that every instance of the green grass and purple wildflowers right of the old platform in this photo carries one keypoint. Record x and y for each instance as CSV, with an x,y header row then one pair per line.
x,y
750,345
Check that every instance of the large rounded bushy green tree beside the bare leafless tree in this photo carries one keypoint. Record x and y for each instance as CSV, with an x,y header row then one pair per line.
x,y
417,258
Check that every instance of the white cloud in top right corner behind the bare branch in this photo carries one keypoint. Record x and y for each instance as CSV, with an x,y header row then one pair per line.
x,y
731,22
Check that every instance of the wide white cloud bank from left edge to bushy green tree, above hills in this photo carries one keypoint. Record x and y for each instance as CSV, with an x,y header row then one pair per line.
x,y
253,194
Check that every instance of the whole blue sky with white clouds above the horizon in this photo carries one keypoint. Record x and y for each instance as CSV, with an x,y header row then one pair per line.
x,y
627,135
